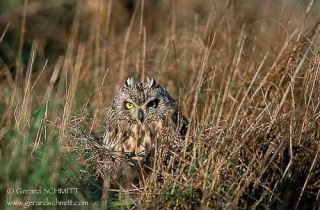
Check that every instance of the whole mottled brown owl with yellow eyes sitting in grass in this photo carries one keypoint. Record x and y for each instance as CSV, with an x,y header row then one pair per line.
x,y
141,115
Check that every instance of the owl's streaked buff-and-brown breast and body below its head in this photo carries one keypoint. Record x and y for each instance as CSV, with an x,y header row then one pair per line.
x,y
137,140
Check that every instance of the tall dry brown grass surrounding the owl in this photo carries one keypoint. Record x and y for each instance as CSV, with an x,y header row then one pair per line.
x,y
247,79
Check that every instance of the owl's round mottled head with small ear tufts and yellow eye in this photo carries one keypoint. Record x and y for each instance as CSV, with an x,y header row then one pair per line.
x,y
142,102
